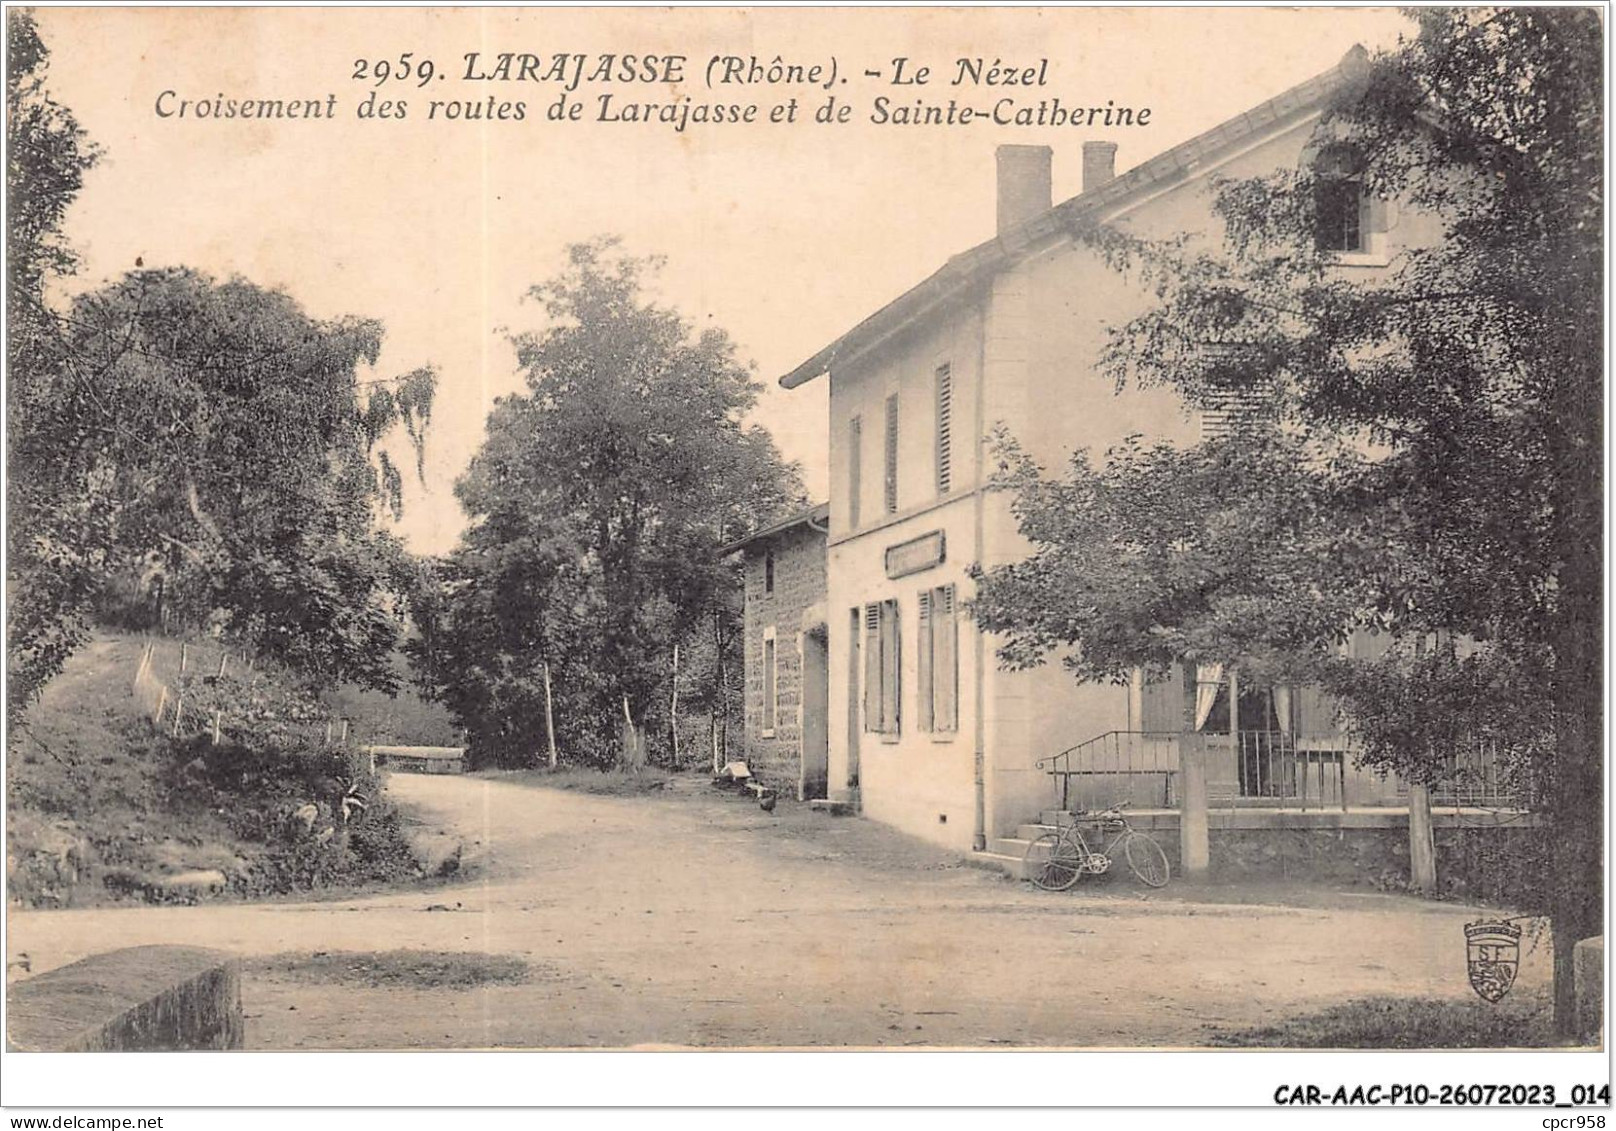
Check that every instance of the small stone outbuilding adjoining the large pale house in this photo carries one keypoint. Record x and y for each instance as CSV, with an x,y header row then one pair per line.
x,y
786,655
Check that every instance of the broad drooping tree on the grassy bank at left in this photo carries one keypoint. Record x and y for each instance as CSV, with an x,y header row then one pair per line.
x,y
217,439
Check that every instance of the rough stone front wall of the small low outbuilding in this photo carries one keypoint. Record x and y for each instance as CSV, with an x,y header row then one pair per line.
x,y
799,584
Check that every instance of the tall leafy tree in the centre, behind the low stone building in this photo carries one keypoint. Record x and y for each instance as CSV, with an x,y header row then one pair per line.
x,y
599,502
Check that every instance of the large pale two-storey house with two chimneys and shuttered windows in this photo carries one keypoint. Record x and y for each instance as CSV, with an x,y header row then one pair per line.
x,y
925,731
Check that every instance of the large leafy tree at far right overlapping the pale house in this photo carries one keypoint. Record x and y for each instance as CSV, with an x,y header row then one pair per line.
x,y
1431,466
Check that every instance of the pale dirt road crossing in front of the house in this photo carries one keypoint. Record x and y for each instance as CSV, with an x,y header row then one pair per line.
x,y
697,920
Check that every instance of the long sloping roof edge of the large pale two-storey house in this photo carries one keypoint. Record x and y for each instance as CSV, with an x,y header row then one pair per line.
x,y
1163,170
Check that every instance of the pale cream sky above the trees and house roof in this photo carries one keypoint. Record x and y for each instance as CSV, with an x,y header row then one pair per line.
x,y
785,235
